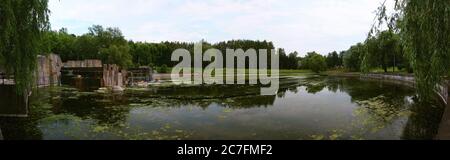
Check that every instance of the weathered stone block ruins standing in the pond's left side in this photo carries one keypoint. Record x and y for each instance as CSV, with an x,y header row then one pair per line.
x,y
85,75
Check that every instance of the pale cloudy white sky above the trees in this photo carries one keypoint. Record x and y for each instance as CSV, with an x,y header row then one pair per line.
x,y
296,25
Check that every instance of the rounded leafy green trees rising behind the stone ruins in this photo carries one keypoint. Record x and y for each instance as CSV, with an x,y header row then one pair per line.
x,y
106,44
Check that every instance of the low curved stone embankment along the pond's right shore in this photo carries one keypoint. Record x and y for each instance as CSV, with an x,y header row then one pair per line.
x,y
407,79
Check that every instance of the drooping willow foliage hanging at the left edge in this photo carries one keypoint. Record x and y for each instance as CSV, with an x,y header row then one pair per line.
x,y
22,23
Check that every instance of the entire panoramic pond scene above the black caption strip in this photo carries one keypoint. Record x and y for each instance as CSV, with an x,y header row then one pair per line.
x,y
224,70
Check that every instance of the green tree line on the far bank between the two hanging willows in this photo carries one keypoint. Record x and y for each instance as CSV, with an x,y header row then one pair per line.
x,y
383,50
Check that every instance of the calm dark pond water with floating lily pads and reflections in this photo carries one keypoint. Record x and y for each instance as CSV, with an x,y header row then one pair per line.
x,y
305,108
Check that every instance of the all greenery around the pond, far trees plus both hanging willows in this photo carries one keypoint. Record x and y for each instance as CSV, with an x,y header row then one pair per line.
x,y
414,37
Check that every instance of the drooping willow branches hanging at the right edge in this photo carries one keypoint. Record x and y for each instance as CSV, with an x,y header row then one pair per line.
x,y
424,27
